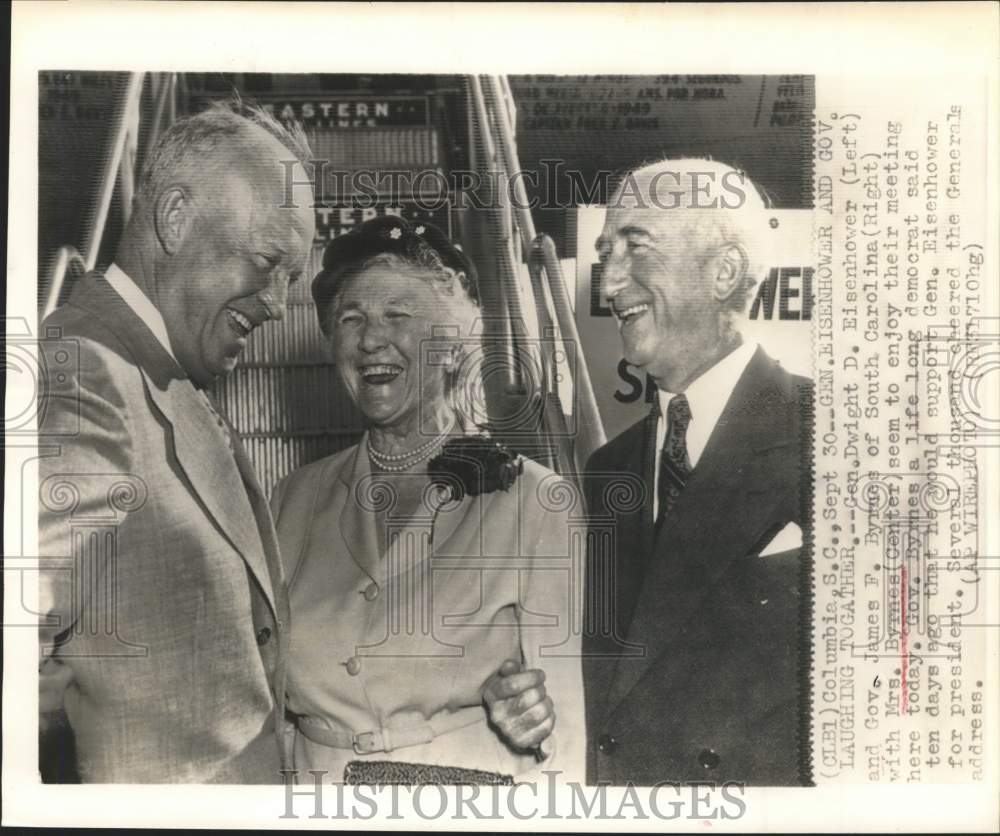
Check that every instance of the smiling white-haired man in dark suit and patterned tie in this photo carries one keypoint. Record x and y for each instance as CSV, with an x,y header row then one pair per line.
x,y
692,627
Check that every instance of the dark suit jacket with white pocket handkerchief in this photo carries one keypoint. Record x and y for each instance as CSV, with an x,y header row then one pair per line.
x,y
702,680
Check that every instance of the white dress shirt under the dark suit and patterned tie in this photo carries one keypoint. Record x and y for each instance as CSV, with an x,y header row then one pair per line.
x,y
707,396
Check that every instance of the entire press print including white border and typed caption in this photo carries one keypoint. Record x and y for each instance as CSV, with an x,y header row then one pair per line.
x,y
386,432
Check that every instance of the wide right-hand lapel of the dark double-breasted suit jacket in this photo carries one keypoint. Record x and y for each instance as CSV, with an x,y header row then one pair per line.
x,y
712,524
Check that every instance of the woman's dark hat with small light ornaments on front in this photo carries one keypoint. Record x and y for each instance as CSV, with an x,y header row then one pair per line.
x,y
388,234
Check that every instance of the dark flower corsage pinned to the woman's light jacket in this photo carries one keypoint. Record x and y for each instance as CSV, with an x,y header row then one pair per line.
x,y
473,465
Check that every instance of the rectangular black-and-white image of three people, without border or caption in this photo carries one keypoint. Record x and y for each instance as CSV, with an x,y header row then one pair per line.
x,y
359,403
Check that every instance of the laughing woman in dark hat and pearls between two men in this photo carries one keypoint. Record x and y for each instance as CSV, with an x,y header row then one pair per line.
x,y
403,611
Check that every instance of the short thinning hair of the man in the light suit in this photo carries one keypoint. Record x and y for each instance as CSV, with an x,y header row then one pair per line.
x,y
193,139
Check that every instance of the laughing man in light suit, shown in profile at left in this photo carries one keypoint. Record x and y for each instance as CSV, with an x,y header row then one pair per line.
x,y
172,621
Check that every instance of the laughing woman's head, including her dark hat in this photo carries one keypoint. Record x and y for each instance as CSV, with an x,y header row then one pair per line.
x,y
386,298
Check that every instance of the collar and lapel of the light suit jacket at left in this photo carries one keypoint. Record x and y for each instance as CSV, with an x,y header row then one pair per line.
x,y
198,442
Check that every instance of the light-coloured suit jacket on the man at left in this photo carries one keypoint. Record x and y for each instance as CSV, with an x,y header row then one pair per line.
x,y
161,575
